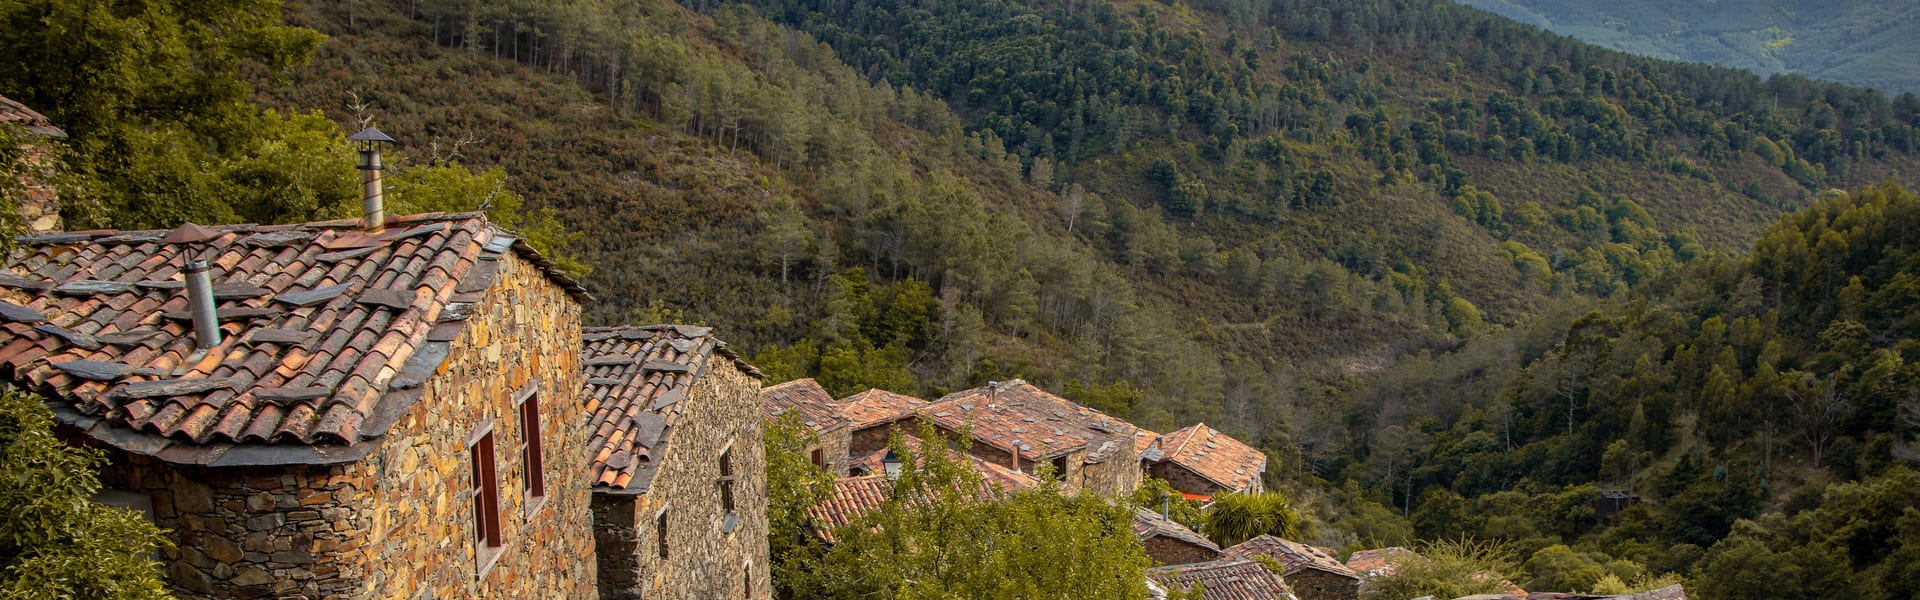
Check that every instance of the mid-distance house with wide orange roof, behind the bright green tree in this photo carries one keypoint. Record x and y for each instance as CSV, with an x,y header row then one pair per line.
x,y
1022,428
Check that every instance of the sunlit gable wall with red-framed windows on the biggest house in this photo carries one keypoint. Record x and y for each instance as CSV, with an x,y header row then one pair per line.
x,y
525,332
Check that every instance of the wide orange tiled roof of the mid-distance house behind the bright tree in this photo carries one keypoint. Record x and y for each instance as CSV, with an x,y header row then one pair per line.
x,y
1022,418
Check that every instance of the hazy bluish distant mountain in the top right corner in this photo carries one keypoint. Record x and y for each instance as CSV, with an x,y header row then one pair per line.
x,y
1867,43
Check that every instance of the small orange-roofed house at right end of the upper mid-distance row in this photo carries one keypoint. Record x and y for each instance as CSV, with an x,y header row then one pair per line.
x,y
1205,462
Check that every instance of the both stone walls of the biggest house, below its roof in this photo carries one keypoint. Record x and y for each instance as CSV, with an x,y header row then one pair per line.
x,y
400,524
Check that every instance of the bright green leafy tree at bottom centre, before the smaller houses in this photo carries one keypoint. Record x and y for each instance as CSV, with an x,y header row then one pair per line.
x,y
948,536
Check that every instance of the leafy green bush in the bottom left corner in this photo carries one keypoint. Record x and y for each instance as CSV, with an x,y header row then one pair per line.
x,y
57,543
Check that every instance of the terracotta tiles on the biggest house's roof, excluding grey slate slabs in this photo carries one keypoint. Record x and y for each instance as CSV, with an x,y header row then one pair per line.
x,y
122,318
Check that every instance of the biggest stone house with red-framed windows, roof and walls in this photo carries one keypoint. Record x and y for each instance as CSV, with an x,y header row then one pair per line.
x,y
381,409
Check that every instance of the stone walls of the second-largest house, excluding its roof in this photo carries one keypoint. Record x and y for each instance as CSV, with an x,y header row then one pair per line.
x,y
704,557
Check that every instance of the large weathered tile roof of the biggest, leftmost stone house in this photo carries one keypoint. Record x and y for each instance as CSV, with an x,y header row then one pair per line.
x,y
327,332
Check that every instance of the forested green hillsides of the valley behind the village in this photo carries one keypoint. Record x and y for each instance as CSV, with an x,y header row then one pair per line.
x,y
1456,276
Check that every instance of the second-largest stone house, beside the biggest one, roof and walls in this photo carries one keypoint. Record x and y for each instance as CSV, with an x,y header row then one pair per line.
x,y
677,464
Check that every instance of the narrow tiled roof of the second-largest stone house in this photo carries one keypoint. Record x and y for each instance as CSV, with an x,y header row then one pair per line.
x,y
635,389
